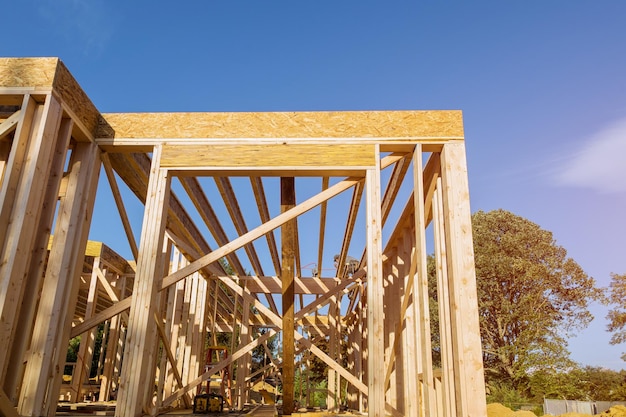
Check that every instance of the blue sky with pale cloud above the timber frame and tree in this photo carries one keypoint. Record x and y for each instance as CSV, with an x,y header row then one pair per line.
x,y
542,85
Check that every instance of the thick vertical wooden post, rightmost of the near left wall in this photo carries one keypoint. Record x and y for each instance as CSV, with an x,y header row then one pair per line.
x,y
44,368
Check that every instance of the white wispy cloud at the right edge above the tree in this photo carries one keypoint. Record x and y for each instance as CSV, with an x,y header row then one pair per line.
x,y
600,164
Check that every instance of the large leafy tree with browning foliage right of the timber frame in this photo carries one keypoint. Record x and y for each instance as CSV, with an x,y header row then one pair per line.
x,y
531,298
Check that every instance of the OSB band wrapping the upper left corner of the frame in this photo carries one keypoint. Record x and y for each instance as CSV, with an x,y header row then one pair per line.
x,y
50,74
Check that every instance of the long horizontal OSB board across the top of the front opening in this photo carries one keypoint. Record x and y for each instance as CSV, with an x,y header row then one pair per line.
x,y
367,124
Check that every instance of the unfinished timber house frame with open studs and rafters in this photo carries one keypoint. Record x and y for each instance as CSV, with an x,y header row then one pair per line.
x,y
160,308
